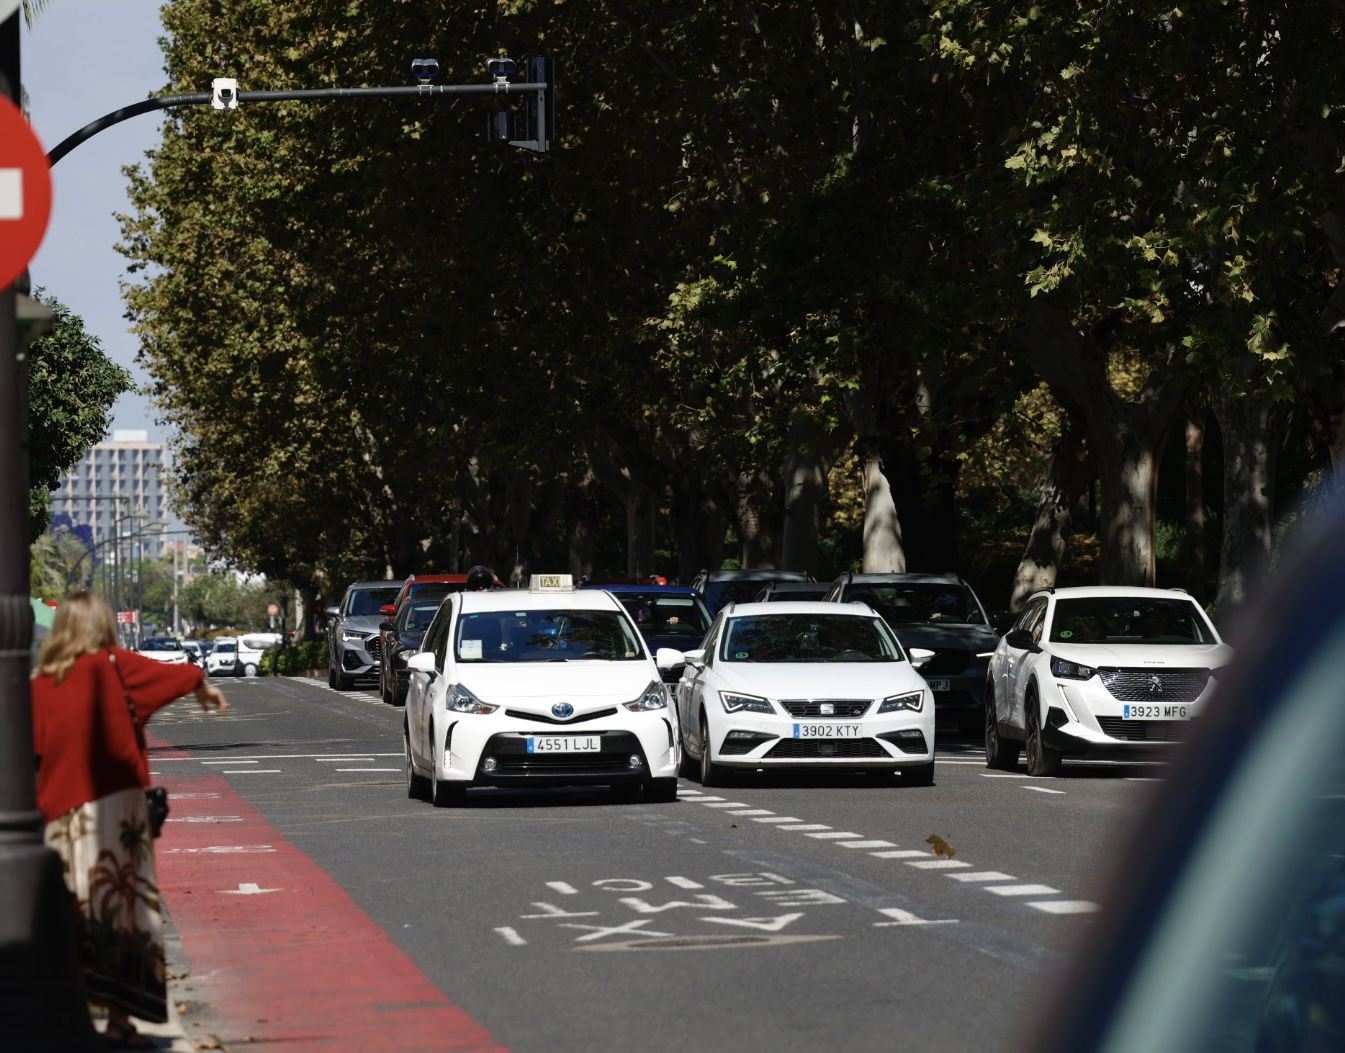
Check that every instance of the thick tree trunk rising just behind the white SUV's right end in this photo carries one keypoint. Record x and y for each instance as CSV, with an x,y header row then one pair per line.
x,y
1245,423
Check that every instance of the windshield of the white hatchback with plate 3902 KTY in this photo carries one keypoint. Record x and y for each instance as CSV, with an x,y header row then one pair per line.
x,y
808,638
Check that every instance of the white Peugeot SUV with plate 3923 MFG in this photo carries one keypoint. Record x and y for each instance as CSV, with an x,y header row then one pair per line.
x,y
1098,672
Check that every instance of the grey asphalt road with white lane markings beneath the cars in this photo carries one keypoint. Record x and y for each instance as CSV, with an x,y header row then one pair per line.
x,y
783,914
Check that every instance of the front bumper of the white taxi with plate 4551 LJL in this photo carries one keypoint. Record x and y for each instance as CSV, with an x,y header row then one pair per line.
x,y
471,740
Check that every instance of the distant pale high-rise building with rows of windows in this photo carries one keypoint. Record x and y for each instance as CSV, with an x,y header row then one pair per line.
x,y
119,487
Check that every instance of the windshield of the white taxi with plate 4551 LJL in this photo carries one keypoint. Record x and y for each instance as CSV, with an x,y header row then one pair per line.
x,y
547,637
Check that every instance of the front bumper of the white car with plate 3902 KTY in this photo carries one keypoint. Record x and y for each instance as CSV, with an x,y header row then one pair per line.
x,y
762,740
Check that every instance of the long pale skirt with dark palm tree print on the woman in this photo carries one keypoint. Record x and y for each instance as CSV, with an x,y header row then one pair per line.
x,y
110,864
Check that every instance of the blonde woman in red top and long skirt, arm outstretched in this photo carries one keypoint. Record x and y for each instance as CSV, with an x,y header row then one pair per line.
x,y
91,701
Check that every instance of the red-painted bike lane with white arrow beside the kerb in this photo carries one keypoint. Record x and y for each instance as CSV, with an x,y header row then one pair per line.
x,y
280,951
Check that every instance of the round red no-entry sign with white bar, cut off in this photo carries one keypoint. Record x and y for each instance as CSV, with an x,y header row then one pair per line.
x,y
25,192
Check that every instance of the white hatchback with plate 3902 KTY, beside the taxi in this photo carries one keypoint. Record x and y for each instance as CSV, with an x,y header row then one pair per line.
x,y
785,685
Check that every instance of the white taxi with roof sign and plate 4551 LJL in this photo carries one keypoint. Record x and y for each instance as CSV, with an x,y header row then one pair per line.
x,y
547,687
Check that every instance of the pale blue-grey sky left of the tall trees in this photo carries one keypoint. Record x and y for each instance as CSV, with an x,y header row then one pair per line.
x,y
83,60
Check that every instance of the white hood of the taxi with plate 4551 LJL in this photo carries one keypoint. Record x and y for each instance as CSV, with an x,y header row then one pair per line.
x,y
537,685
